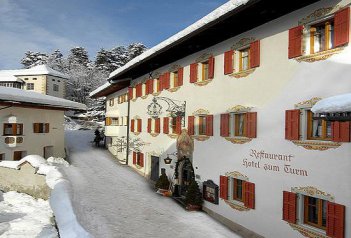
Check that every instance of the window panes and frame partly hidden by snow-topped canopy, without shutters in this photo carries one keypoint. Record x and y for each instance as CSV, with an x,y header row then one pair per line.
x,y
318,129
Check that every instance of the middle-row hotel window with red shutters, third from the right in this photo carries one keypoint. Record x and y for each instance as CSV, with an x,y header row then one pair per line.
x,y
200,125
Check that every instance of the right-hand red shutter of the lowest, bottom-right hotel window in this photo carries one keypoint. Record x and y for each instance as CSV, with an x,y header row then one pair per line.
x,y
335,220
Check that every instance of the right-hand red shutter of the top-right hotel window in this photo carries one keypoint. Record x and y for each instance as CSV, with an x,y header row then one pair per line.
x,y
341,27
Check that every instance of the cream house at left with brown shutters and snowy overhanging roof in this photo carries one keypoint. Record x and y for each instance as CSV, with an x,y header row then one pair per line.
x,y
32,123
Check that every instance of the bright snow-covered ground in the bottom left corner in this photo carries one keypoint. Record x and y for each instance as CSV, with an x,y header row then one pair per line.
x,y
22,216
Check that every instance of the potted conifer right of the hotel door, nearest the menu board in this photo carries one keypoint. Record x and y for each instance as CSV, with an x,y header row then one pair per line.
x,y
193,197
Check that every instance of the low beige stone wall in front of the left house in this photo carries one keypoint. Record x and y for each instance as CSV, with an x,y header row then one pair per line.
x,y
24,180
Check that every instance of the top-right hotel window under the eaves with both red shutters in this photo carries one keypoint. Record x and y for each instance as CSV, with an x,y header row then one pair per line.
x,y
331,32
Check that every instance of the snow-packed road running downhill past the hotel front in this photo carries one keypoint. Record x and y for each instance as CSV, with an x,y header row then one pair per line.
x,y
111,200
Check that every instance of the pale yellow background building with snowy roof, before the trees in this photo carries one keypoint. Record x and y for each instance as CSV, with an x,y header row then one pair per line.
x,y
40,78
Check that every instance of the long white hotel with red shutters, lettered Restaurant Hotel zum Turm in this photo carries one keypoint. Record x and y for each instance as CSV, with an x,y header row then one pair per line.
x,y
241,82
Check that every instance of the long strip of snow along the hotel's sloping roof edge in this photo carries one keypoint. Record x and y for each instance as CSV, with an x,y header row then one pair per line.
x,y
214,15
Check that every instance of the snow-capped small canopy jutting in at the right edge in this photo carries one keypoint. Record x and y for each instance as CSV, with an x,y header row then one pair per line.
x,y
339,103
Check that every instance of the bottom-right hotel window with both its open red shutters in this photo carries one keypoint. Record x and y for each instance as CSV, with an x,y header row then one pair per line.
x,y
311,211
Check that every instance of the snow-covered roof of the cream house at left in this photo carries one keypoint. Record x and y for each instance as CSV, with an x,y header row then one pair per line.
x,y
14,95
